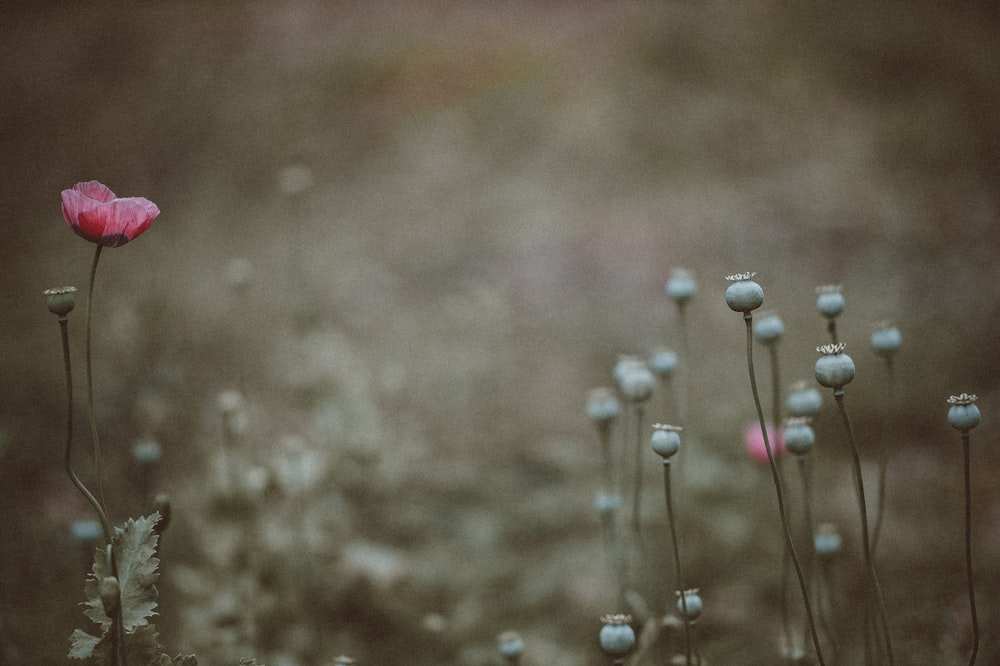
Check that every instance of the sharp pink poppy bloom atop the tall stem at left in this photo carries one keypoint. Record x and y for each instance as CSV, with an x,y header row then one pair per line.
x,y
94,212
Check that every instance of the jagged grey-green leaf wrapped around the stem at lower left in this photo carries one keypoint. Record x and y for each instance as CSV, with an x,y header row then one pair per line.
x,y
134,552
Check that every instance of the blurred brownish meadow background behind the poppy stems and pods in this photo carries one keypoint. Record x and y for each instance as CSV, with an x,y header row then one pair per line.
x,y
415,235
